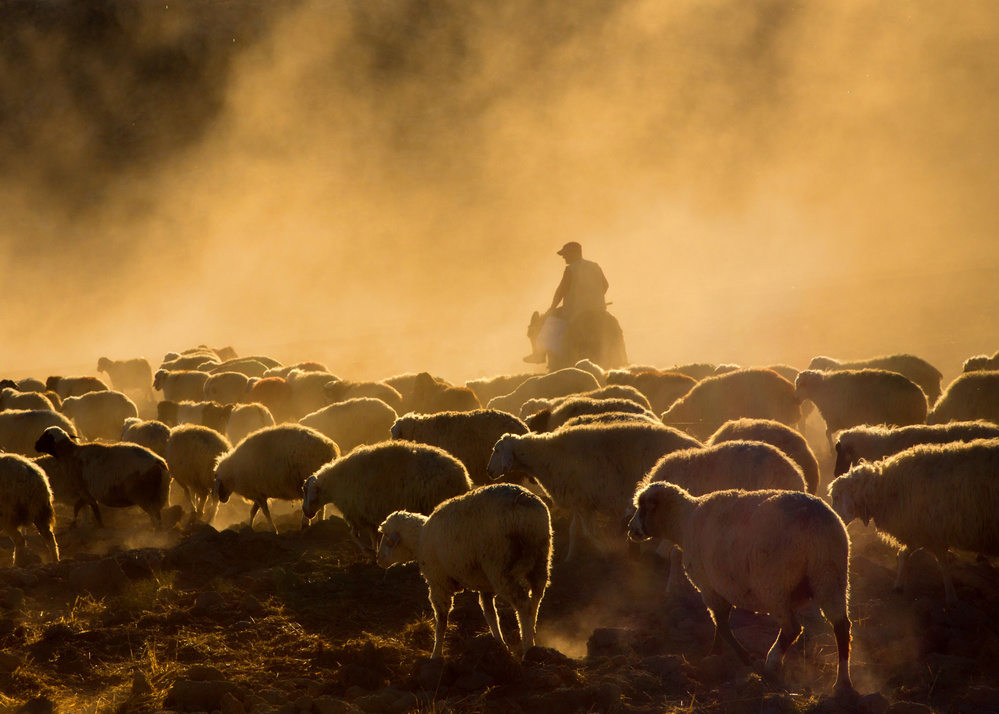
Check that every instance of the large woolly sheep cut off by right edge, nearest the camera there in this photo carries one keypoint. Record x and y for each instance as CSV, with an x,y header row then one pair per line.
x,y
932,496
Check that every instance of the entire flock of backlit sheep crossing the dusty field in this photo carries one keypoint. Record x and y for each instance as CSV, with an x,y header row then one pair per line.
x,y
708,463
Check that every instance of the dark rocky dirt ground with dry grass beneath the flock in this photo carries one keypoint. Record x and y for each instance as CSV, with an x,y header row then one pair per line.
x,y
233,620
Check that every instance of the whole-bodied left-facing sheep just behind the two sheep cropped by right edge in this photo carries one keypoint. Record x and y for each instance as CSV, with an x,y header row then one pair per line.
x,y
848,398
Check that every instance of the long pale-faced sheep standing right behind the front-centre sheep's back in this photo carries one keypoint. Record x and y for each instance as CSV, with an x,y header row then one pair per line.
x,y
591,471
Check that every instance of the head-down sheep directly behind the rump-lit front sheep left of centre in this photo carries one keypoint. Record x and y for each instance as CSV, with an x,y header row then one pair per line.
x,y
371,482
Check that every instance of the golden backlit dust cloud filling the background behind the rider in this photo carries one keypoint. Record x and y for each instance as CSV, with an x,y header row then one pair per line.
x,y
382,186
